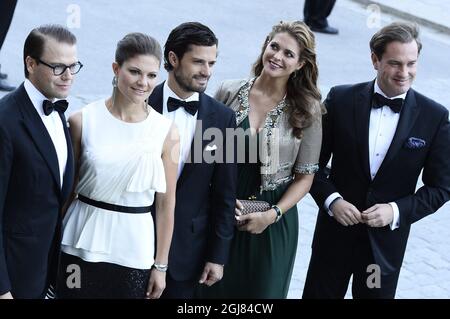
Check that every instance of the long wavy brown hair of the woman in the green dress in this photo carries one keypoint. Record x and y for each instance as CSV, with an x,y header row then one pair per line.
x,y
302,93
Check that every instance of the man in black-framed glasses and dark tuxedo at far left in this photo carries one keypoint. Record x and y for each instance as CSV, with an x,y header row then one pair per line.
x,y
36,163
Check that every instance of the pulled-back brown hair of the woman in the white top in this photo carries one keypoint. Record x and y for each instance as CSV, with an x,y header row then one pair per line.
x,y
136,43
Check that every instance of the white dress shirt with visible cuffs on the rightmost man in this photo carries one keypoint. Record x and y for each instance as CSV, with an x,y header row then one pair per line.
x,y
382,126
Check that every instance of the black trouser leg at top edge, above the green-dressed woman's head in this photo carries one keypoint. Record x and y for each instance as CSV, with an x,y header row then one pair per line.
x,y
315,12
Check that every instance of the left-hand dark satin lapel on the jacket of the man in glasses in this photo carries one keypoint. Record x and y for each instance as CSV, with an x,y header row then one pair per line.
x,y
39,134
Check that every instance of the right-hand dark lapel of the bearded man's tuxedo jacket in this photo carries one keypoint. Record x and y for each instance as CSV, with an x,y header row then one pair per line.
x,y
205,120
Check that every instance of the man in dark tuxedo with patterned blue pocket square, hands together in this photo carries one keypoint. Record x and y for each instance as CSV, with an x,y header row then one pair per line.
x,y
381,135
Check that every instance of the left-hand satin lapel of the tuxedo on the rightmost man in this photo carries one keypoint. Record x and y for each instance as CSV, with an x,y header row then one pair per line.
x,y
362,105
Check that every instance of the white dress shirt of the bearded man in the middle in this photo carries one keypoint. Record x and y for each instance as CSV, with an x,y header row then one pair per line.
x,y
185,122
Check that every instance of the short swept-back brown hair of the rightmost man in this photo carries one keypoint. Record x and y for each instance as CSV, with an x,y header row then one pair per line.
x,y
403,32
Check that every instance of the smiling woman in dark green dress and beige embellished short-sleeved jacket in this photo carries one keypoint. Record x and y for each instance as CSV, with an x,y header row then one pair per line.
x,y
279,111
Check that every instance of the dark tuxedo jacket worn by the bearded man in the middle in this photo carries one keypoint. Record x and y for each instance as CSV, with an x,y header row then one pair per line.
x,y
205,195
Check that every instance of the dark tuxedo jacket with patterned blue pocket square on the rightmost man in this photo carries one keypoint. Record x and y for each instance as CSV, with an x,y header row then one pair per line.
x,y
421,142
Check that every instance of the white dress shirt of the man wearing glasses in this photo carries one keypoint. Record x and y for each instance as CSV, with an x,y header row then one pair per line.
x,y
53,124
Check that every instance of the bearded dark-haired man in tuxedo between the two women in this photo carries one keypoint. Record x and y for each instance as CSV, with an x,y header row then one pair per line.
x,y
206,187
